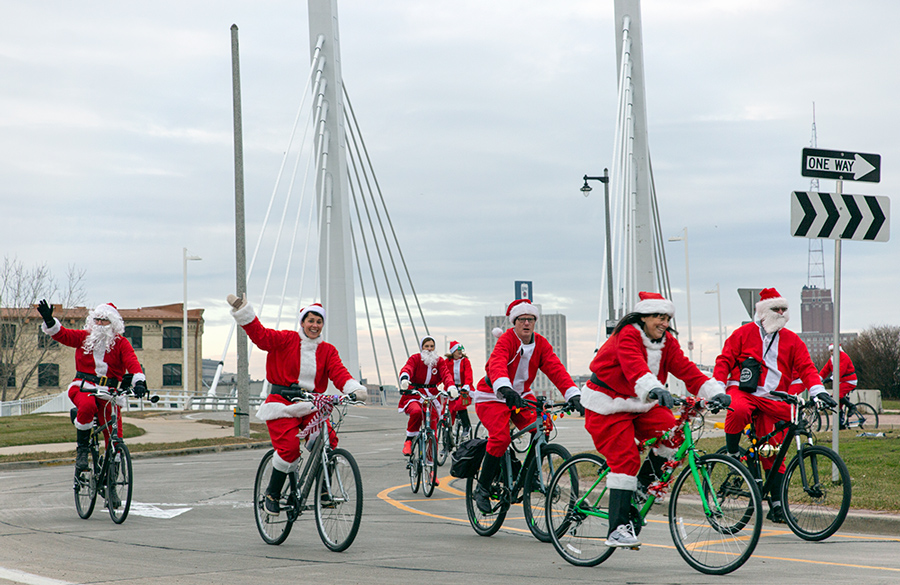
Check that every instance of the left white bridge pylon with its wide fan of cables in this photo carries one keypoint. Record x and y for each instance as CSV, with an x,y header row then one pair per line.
x,y
352,242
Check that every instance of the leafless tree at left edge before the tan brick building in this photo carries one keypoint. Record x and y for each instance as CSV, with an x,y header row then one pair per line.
x,y
23,346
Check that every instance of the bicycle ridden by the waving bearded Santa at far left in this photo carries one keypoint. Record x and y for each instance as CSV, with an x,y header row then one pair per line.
x,y
109,474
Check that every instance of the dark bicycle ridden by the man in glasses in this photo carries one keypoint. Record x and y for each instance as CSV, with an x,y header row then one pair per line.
x,y
526,482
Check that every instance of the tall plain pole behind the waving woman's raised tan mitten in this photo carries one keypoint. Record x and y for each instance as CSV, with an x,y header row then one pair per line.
x,y
242,411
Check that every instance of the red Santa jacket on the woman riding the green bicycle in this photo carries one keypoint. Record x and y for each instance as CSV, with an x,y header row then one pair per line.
x,y
629,365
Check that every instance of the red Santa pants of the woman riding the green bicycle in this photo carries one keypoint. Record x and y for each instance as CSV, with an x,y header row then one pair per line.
x,y
614,435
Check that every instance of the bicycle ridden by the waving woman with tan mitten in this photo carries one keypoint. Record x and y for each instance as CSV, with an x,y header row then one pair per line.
x,y
337,494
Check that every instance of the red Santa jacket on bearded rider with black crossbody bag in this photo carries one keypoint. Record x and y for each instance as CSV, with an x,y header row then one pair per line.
x,y
783,359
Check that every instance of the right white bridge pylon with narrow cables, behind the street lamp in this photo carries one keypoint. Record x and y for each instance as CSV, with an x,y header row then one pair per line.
x,y
637,252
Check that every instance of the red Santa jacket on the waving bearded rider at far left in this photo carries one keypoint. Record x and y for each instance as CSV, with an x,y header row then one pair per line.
x,y
115,363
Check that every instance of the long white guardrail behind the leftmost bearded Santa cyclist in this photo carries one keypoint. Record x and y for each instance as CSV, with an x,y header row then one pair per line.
x,y
176,400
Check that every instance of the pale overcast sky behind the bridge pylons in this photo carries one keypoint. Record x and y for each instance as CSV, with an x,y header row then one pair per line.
x,y
480,117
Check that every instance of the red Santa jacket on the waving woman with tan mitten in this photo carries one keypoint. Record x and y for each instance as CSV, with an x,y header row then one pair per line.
x,y
293,358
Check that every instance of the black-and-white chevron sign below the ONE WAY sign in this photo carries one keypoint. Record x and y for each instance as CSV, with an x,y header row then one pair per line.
x,y
840,217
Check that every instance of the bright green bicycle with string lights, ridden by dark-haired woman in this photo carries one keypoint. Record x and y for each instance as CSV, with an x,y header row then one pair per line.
x,y
714,508
